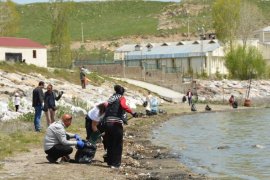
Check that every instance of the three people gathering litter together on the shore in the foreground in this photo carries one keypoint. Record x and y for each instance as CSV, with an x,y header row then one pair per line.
x,y
106,118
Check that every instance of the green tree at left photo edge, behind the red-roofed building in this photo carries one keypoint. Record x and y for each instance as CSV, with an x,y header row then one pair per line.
x,y
9,18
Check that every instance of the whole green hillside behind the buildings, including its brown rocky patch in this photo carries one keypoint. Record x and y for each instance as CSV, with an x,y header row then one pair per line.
x,y
112,20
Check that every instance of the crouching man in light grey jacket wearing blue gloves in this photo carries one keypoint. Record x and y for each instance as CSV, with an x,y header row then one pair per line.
x,y
56,141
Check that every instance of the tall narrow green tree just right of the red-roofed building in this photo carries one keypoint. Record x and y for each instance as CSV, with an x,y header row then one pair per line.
x,y
60,37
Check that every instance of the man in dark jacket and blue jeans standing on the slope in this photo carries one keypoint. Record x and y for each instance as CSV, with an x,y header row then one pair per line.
x,y
38,98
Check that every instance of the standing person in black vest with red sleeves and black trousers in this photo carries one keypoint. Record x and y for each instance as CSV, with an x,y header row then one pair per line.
x,y
114,126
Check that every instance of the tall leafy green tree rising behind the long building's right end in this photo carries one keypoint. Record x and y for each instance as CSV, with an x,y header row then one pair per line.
x,y
226,15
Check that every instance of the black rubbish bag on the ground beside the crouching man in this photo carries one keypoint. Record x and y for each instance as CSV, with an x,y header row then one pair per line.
x,y
86,154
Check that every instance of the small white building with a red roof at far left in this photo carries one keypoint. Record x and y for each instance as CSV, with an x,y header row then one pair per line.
x,y
23,50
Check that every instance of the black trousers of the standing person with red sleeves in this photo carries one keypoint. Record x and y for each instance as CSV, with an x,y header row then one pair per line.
x,y
114,133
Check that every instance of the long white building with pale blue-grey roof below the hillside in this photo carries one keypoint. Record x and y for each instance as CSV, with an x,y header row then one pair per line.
x,y
184,56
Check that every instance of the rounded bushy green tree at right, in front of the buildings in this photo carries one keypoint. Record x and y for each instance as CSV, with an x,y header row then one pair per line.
x,y
245,62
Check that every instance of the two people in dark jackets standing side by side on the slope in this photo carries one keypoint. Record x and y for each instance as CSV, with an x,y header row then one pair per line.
x,y
44,102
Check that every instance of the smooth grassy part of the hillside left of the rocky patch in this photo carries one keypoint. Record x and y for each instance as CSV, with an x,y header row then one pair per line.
x,y
101,20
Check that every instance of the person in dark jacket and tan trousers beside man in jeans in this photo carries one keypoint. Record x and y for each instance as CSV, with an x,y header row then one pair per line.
x,y
49,103
